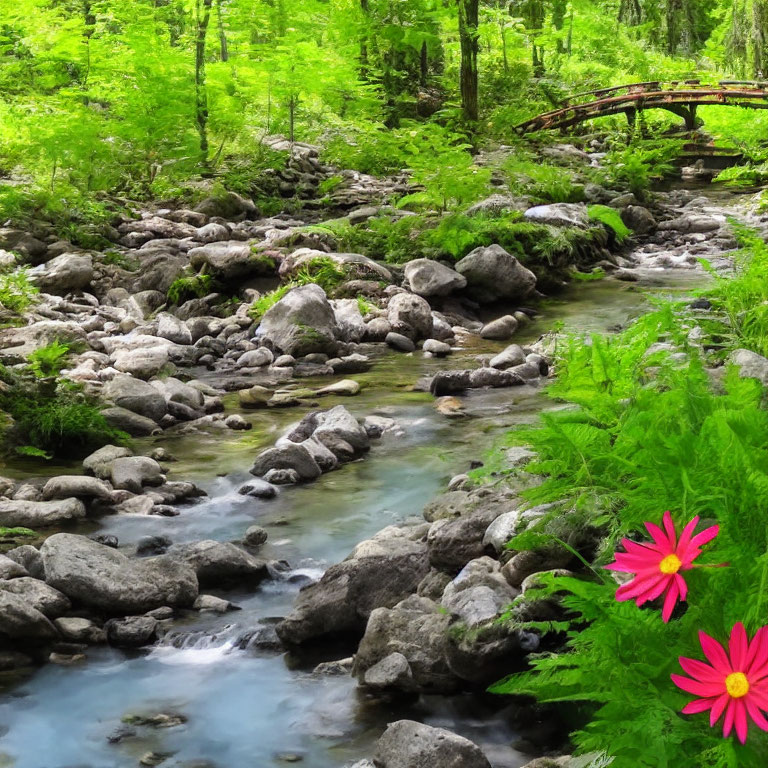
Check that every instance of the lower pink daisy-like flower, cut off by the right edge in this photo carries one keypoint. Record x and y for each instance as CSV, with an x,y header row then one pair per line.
x,y
735,682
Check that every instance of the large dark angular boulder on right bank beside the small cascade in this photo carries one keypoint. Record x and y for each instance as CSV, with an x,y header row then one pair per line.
x,y
379,572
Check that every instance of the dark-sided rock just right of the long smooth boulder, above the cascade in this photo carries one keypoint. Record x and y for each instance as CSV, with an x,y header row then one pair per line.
x,y
220,564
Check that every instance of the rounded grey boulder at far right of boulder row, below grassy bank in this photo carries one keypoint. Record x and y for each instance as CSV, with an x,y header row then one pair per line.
x,y
493,275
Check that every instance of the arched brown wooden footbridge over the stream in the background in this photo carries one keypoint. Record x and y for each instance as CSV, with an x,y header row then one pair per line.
x,y
679,97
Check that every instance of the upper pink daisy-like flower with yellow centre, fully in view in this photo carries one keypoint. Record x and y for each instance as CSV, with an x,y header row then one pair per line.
x,y
657,565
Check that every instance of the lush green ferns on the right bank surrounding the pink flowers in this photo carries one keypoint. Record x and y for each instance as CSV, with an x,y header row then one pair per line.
x,y
646,432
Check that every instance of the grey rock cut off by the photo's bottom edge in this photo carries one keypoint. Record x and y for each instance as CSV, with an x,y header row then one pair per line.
x,y
408,744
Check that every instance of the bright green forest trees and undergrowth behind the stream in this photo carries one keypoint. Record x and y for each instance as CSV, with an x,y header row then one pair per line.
x,y
134,98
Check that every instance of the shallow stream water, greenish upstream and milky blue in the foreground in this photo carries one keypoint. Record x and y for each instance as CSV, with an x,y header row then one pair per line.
x,y
249,709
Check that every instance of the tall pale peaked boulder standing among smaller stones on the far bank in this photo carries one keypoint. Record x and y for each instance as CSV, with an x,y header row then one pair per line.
x,y
300,323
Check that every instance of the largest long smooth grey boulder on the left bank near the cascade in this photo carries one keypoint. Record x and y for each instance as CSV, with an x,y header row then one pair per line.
x,y
104,579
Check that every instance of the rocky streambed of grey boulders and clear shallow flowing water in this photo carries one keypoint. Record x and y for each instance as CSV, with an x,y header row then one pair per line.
x,y
189,613
